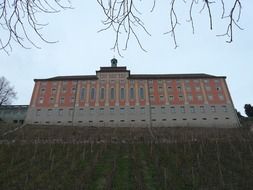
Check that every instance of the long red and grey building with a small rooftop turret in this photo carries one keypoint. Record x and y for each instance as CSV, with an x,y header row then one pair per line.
x,y
114,97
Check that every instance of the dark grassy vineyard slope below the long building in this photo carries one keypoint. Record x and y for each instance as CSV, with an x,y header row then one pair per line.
x,y
126,158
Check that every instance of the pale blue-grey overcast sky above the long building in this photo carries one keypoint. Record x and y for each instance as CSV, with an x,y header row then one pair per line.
x,y
81,49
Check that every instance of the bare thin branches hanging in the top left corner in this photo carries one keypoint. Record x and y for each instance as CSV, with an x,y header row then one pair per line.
x,y
19,21
